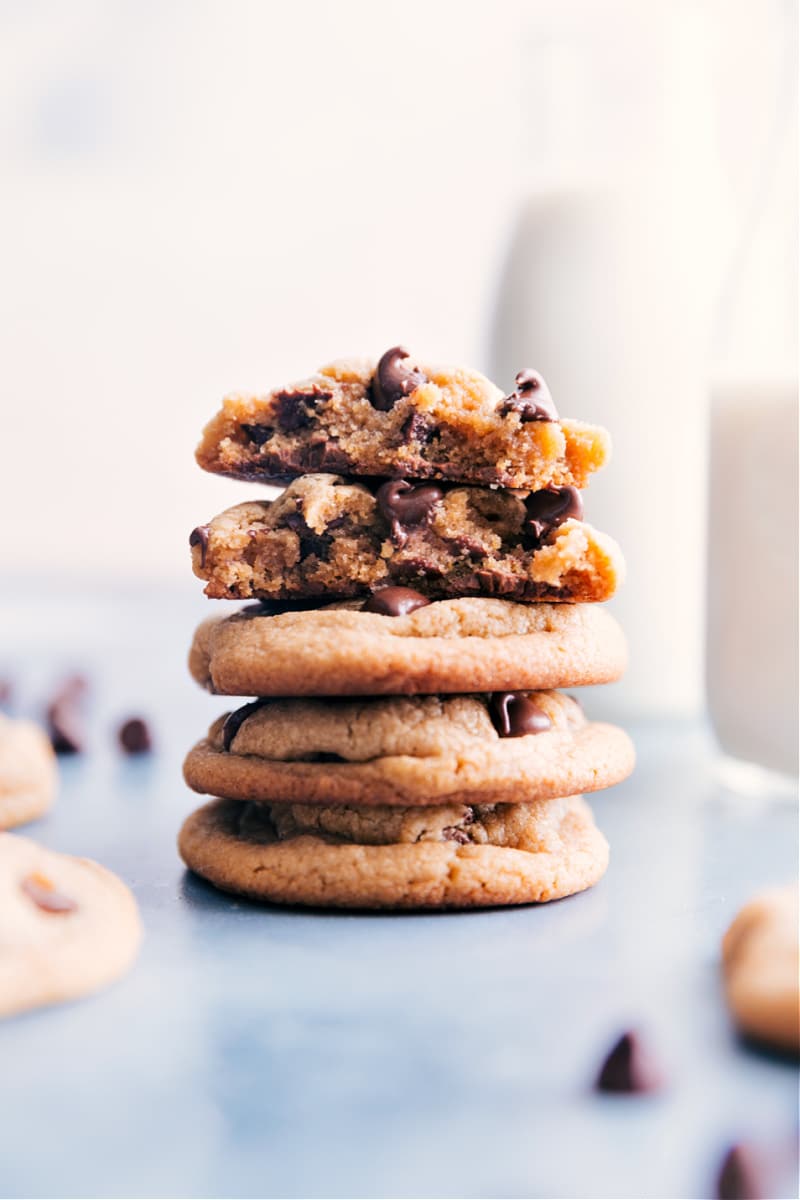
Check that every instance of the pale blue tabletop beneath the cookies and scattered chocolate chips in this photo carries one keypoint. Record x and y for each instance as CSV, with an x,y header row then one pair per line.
x,y
258,1052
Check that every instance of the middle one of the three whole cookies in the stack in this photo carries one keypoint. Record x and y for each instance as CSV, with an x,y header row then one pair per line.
x,y
414,751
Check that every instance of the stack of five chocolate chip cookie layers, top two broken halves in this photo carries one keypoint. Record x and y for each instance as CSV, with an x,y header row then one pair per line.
x,y
422,587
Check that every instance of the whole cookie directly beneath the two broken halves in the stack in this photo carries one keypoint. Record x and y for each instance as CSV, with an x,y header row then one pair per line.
x,y
448,646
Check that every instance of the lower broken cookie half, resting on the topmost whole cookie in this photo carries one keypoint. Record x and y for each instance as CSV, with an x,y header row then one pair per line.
x,y
326,537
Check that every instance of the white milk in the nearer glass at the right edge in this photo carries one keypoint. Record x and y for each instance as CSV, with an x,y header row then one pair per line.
x,y
753,572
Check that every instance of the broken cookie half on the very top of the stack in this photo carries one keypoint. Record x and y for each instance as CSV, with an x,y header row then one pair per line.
x,y
399,418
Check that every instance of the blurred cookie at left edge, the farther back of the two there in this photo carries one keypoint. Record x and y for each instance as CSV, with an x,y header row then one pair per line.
x,y
28,772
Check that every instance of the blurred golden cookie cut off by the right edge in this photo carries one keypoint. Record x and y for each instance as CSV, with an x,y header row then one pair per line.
x,y
762,969
